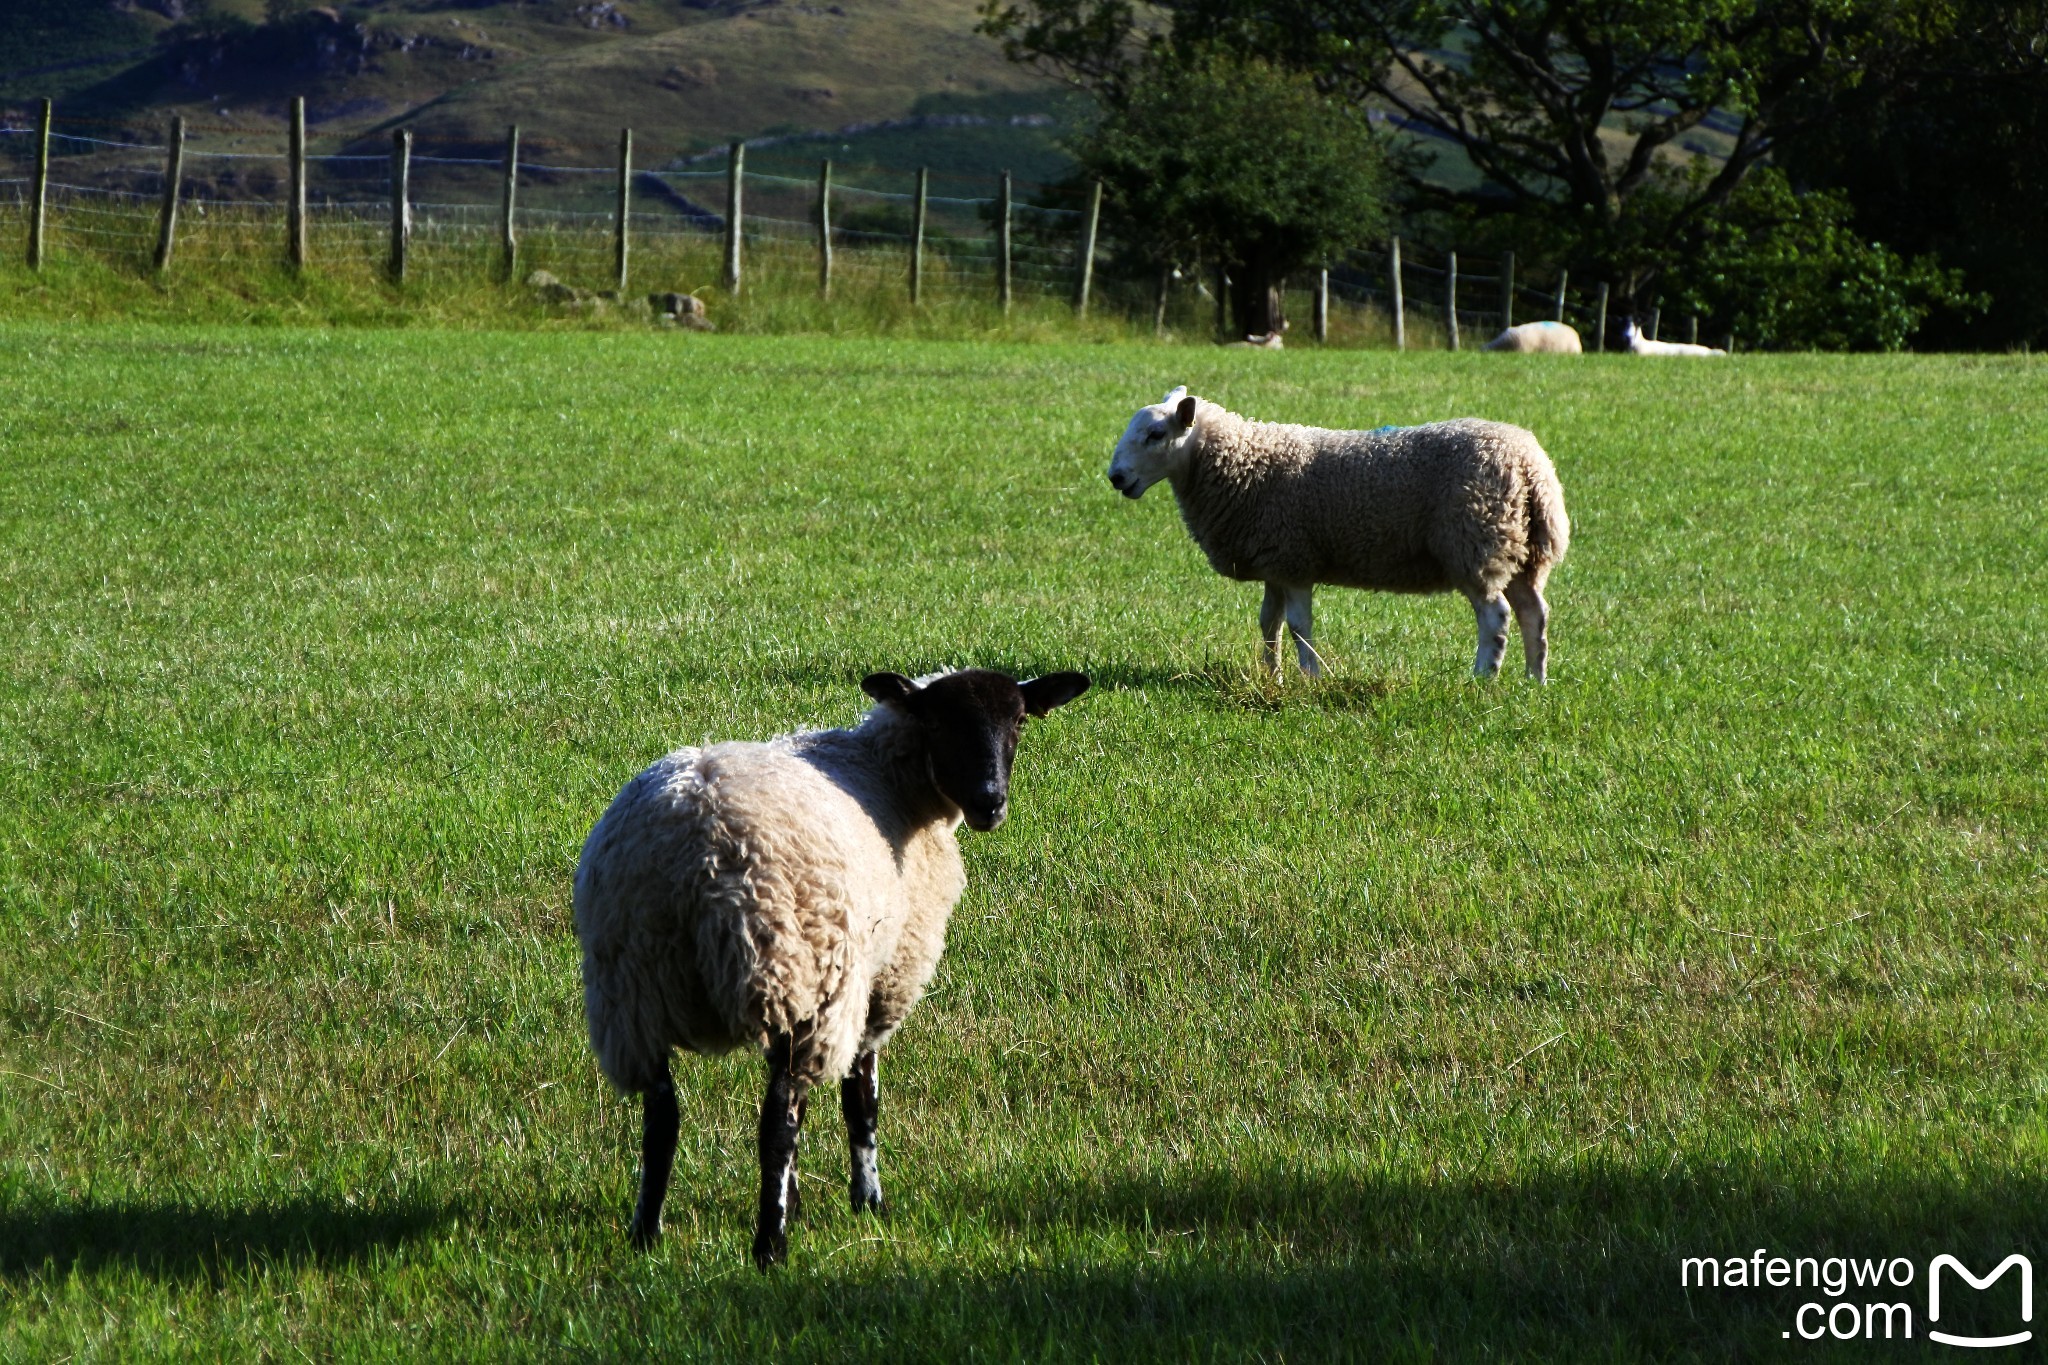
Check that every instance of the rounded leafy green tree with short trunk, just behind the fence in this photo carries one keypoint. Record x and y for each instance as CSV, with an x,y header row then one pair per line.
x,y
1240,165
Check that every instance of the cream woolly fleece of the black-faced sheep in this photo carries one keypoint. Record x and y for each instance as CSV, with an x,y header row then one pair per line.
x,y
755,889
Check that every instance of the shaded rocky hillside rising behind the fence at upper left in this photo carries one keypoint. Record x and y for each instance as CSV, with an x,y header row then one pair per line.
x,y
685,77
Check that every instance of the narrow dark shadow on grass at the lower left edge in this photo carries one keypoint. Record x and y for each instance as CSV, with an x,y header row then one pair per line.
x,y
183,1241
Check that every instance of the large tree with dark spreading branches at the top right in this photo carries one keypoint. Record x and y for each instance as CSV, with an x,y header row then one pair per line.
x,y
1578,116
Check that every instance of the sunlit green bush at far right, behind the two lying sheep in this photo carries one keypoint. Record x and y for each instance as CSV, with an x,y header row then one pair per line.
x,y
1789,273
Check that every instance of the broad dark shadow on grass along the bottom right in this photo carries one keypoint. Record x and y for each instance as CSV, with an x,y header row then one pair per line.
x,y
1578,1268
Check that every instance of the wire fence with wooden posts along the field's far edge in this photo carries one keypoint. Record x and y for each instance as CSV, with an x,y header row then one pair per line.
x,y
601,226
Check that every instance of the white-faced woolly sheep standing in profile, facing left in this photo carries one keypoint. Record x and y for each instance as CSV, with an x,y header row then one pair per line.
x,y
1471,507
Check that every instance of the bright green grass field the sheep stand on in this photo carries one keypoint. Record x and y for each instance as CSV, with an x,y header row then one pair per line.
x,y
1388,1018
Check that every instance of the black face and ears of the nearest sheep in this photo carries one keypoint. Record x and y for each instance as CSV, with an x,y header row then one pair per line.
x,y
972,723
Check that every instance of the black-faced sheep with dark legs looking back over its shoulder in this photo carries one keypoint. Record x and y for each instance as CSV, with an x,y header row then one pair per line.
x,y
792,895
